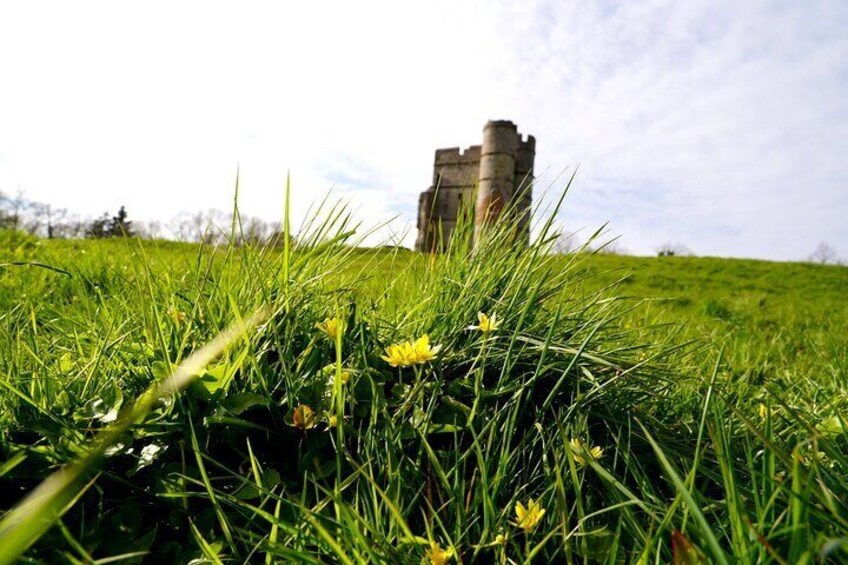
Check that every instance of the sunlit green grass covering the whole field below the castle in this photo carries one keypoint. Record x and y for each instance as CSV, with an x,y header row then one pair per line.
x,y
715,388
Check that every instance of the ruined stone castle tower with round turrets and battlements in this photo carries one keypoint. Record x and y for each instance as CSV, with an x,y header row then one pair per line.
x,y
498,170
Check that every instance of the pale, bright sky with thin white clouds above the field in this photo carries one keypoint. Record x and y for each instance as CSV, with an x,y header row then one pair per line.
x,y
718,126
